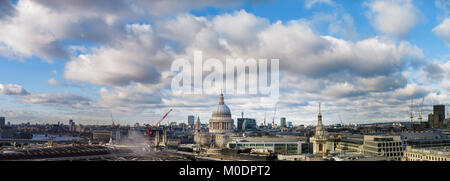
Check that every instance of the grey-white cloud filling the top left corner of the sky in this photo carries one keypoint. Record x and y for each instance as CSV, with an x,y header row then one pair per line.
x,y
24,35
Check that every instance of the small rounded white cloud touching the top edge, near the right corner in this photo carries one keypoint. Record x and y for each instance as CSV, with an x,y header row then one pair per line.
x,y
393,17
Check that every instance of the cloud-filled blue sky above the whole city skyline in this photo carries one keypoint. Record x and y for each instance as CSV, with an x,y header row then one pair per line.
x,y
83,60
